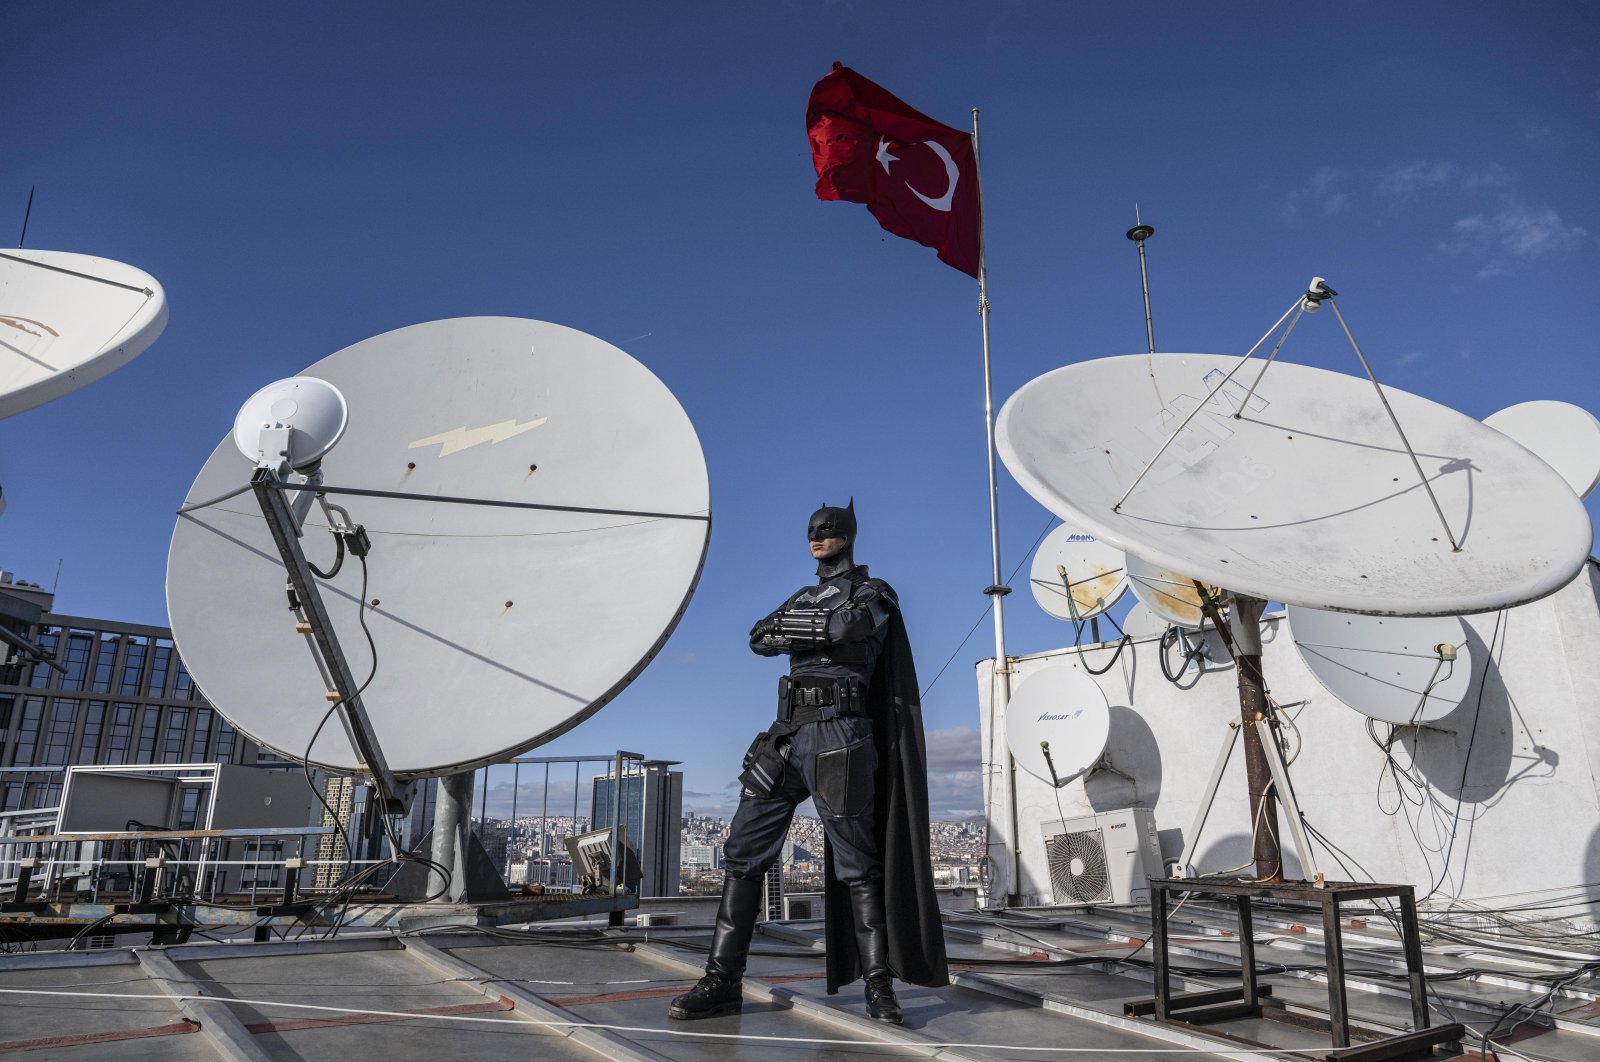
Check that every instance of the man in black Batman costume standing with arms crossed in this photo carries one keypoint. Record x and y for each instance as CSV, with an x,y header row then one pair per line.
x,y
849,735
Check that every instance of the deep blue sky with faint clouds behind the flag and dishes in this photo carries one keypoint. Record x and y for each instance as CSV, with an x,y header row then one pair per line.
x,y
303,177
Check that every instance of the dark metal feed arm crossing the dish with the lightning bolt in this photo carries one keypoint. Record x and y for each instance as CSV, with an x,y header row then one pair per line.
x,y
306,601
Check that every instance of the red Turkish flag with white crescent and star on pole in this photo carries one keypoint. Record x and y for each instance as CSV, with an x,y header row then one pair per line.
x,y
918,177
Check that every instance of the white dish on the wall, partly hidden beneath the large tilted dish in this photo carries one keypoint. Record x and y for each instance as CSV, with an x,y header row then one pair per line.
x,y
1394,669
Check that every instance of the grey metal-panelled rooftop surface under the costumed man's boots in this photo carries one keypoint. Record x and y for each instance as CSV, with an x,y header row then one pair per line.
x,y
1036,984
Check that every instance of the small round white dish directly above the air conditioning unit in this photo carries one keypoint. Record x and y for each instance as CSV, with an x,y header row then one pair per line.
x,y
1057,724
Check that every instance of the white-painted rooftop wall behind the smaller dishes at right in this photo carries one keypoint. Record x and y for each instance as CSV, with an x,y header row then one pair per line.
x,y
1516,821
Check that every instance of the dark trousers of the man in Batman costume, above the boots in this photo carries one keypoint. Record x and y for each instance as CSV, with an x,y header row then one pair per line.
x,y
833,762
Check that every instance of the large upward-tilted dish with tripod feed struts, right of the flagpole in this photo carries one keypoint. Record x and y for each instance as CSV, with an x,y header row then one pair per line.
x,y
1306,498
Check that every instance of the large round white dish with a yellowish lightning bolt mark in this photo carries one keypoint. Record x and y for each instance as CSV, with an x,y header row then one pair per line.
x,y
497,626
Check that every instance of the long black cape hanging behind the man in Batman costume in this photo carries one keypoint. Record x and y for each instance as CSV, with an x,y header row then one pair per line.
x,y
916,933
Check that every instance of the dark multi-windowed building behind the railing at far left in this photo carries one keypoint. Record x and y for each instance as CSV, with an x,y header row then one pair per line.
x,y
110,693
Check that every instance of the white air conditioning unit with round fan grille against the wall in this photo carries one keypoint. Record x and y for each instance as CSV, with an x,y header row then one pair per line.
x,y
1103,860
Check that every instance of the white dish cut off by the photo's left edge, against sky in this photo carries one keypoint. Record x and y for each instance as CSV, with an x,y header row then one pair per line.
x,y
70,319
